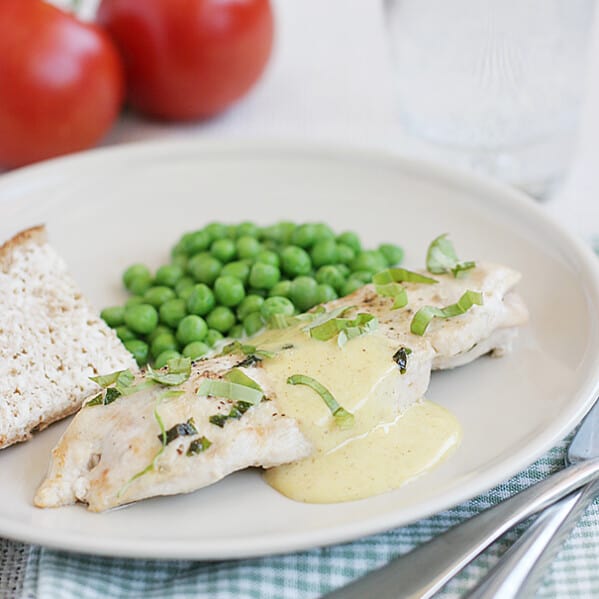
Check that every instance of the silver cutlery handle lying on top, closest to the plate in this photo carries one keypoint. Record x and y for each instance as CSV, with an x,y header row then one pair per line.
x,y
422,572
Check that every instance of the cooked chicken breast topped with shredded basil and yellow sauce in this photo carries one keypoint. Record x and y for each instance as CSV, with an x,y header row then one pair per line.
x,y
100,457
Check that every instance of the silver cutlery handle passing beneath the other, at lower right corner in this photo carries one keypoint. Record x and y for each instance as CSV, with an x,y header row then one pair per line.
x,y
520,571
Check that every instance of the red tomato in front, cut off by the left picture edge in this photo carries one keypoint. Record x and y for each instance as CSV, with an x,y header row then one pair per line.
x,y
61,82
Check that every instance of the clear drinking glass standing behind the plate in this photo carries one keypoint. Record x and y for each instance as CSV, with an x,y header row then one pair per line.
x,y
496,85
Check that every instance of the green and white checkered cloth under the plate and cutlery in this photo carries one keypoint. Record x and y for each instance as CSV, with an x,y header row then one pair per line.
x,y
54,574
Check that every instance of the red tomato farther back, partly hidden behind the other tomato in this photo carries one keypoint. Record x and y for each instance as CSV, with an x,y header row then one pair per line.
x,y
188,59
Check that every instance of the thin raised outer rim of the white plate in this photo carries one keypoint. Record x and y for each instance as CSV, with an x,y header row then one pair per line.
x,y
500,195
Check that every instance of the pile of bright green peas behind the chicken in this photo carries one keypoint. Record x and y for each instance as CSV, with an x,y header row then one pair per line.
x,y
228,280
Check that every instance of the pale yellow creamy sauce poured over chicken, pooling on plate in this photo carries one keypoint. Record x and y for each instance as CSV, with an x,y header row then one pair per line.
x,y
383,449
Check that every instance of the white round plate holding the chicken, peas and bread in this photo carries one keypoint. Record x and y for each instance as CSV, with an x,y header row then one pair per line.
x,y
108,208
